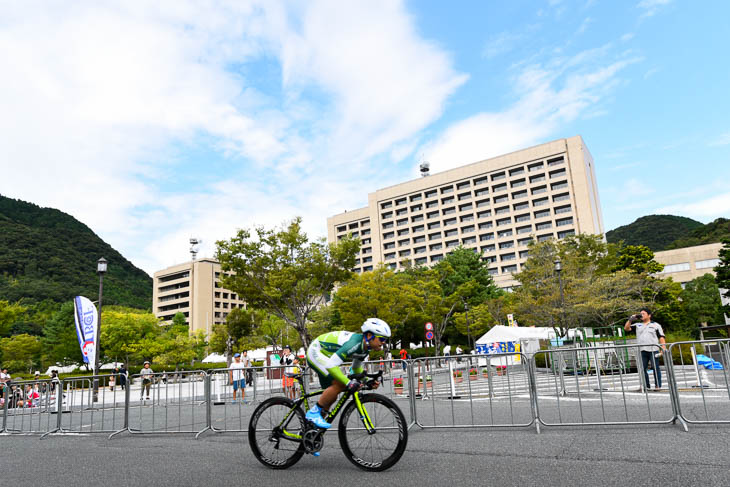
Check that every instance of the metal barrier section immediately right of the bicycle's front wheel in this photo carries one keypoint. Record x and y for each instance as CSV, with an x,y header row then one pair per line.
x,y
478,391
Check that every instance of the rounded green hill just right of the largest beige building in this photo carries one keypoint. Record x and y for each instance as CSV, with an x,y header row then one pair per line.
x,y
654,231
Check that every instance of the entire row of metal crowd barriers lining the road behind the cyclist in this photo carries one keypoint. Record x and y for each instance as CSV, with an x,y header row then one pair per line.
x,y
592,385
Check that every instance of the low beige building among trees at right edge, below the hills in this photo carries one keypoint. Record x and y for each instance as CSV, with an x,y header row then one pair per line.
x,y
683,265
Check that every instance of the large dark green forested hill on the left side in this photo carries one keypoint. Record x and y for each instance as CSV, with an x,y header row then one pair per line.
x,y
47,254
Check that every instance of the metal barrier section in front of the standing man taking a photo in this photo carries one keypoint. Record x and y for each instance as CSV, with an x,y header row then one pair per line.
x,y
584,386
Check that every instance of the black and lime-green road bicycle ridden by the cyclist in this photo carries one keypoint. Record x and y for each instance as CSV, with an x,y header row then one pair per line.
x,y
372,430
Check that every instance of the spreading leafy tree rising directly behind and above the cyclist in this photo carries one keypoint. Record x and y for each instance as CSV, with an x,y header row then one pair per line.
x,y
283,273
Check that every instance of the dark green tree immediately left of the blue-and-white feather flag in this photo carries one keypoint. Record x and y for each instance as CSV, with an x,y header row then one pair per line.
x,y
61,345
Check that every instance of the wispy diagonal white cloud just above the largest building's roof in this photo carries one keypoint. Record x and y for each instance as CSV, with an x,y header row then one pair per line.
x,y
548,95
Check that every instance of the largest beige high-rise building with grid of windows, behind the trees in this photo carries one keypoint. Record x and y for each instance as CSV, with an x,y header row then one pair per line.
x,y
496,206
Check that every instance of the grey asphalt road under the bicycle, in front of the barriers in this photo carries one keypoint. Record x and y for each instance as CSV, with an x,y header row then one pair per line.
x,y
660,455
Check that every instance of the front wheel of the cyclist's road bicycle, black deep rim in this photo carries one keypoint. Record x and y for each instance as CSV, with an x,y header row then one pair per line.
x,y
382,449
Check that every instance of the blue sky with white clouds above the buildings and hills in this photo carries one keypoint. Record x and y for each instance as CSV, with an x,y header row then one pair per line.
x,y
155,121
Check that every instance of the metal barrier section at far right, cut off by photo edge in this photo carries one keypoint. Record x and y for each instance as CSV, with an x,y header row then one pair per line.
x,y
703,394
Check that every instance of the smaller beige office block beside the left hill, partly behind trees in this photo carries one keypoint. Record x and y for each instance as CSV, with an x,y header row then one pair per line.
x,y
193,288
